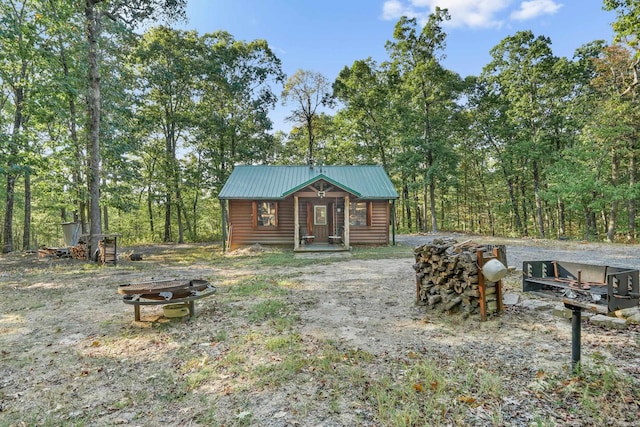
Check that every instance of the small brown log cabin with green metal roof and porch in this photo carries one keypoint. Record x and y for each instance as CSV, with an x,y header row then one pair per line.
x,y
311,208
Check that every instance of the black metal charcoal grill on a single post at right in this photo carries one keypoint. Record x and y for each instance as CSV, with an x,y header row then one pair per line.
x,y
599,289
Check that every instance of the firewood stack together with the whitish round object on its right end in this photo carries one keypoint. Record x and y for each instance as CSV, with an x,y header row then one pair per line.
x,y
460,277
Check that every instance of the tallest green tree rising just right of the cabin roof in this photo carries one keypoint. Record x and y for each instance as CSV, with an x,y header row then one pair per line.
x,y
428,94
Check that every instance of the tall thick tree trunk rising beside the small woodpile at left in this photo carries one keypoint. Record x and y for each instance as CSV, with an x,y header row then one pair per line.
x,y
93,101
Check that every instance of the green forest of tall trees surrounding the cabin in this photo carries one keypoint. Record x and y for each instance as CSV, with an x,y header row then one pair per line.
x,y
136,133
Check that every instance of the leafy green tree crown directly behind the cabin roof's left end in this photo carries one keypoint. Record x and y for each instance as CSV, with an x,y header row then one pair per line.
x,y
236,94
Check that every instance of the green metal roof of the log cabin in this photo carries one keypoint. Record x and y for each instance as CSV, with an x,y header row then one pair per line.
x,y
278,182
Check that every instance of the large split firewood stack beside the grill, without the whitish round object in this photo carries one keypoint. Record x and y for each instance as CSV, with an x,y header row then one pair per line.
x,y
447,277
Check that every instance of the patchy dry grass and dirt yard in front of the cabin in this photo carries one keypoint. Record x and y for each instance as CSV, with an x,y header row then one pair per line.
x,y
259,353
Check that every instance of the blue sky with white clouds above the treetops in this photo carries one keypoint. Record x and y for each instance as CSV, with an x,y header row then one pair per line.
x,y
326,35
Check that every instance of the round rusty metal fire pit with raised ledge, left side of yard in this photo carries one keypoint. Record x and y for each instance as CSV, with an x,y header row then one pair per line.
x,y
163,292
